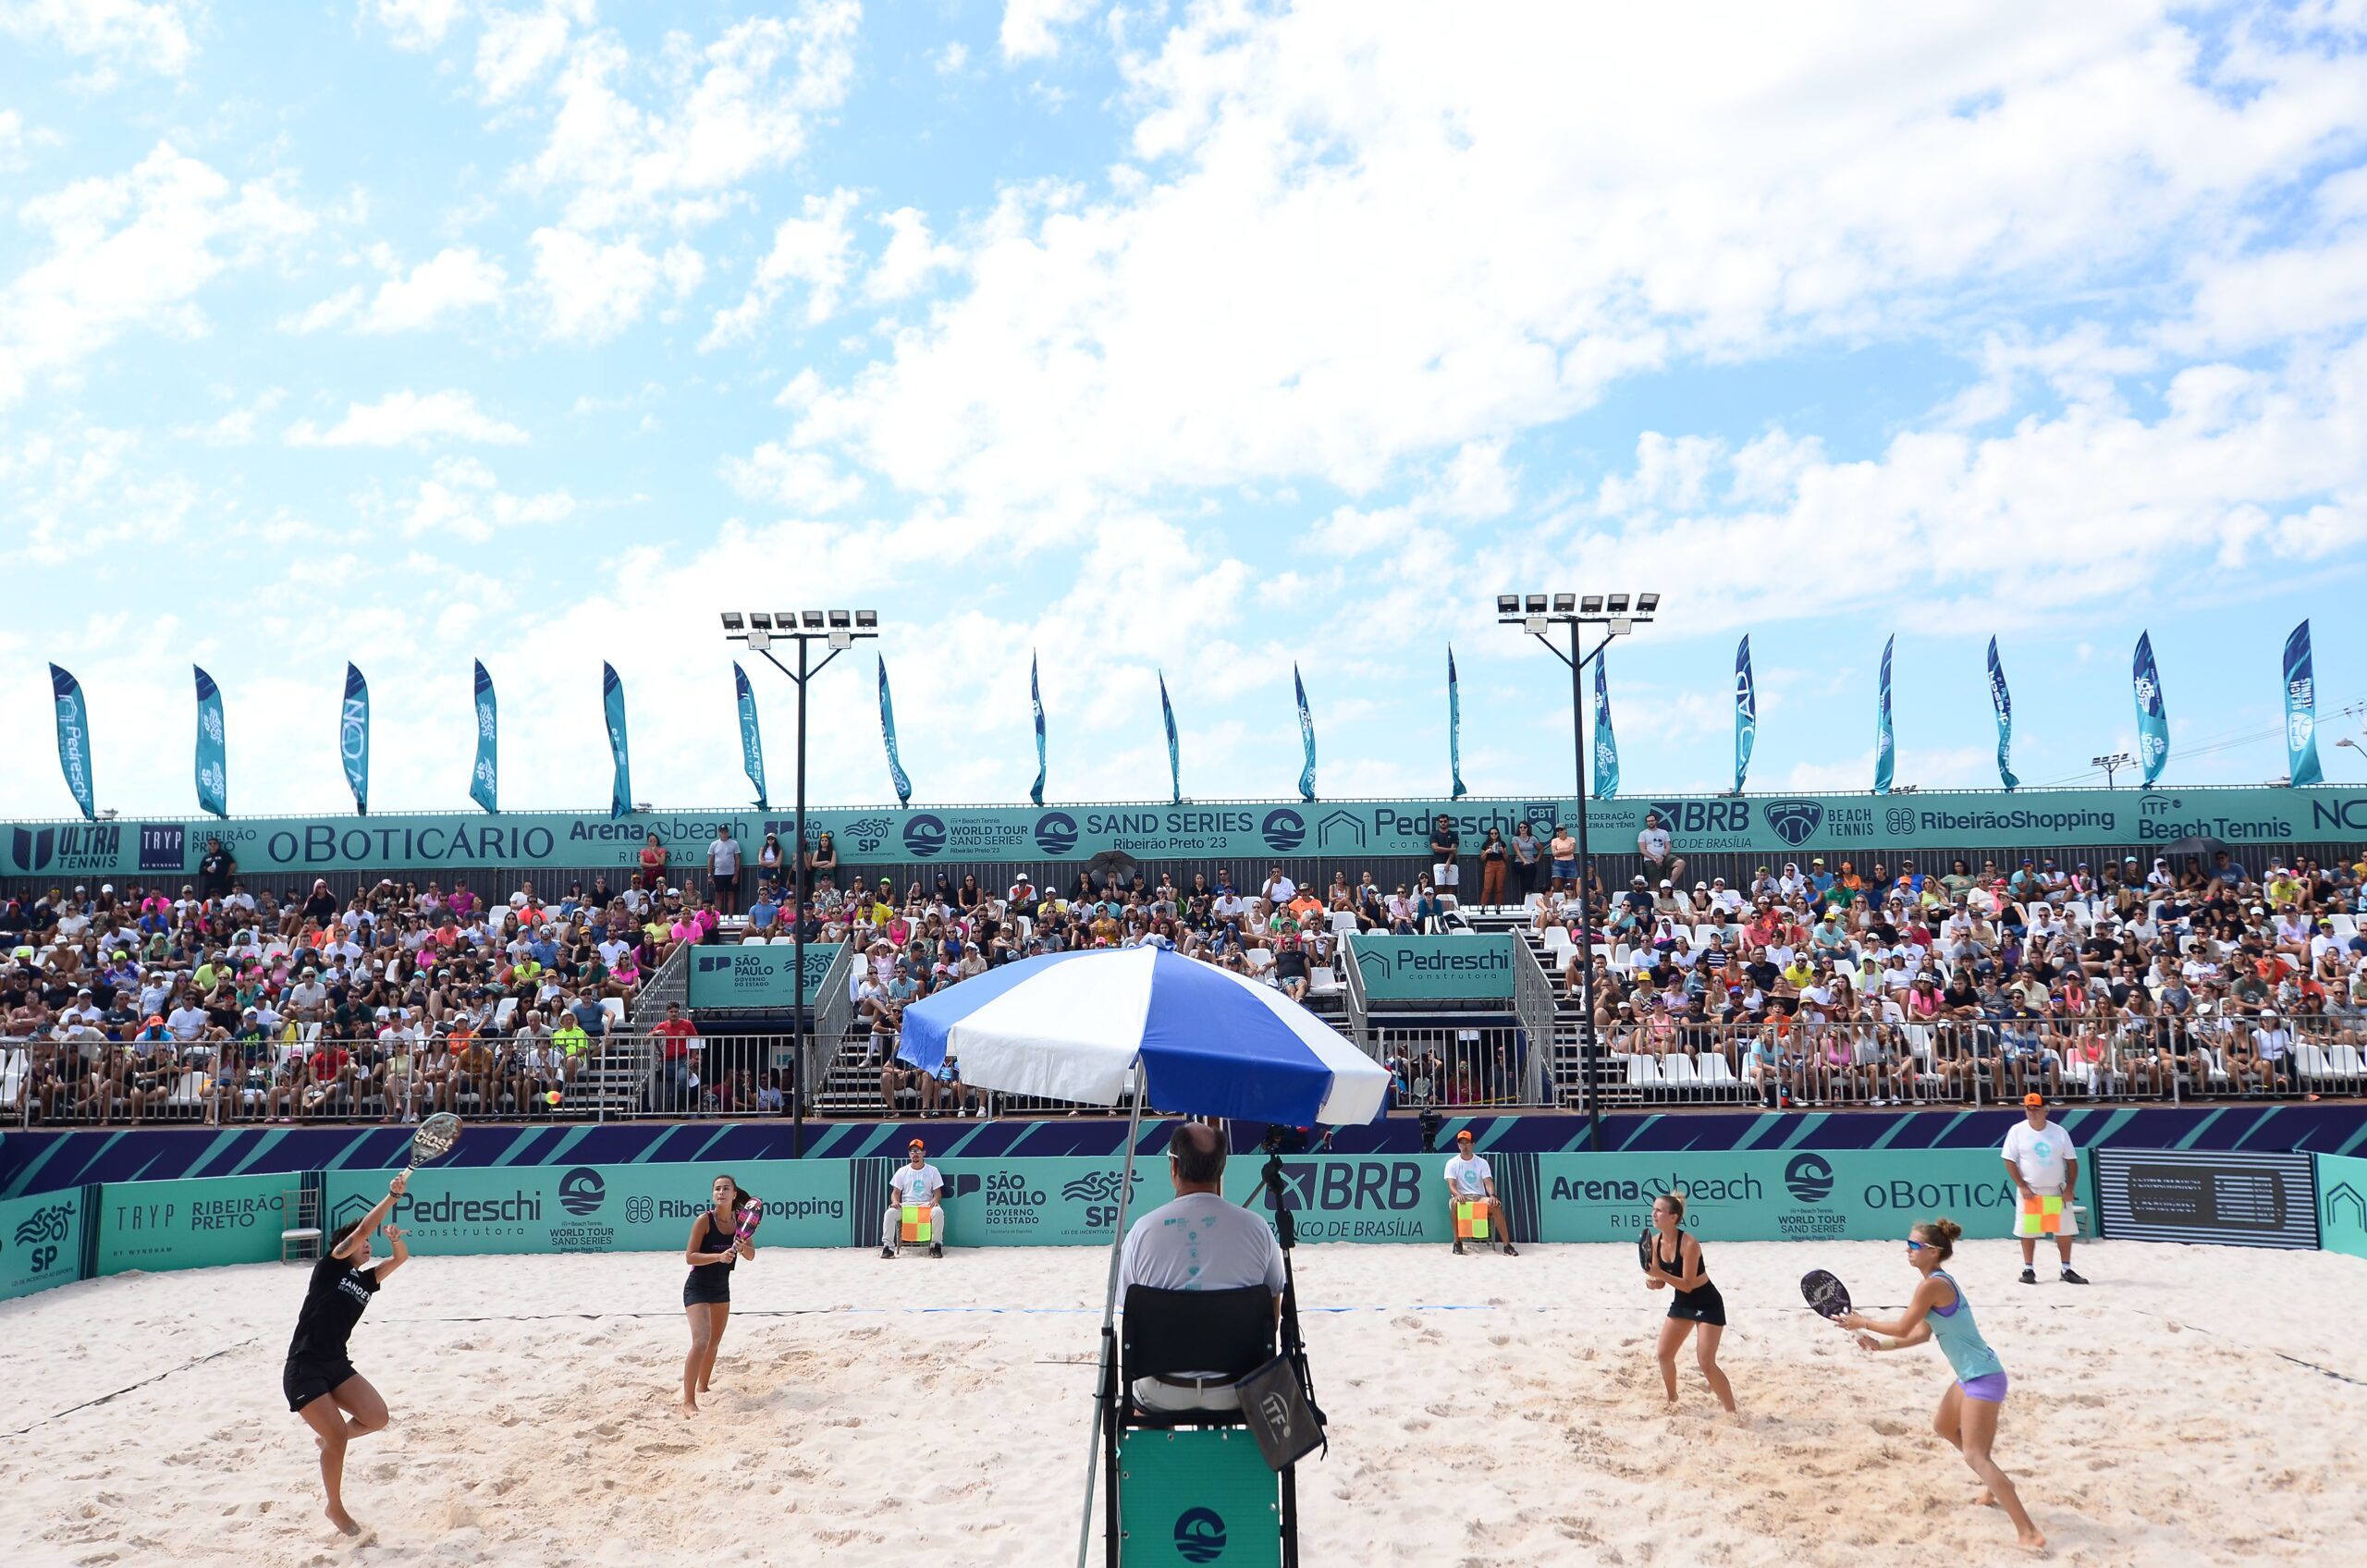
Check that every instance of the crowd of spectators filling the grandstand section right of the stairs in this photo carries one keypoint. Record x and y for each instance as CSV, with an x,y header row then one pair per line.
x,y
1824,984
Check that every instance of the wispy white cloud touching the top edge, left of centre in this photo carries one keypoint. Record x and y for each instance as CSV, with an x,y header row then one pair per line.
x,y
735,110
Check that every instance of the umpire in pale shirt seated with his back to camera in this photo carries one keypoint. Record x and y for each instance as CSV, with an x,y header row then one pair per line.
x,y
1199,1242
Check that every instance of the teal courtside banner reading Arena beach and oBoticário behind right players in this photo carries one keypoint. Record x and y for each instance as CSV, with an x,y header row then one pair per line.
x,y
1779,1195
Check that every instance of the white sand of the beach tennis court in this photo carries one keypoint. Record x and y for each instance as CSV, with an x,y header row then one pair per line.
x,y
2153,1415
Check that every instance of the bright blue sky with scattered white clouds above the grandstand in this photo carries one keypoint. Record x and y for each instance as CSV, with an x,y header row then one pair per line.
x,y
1170,338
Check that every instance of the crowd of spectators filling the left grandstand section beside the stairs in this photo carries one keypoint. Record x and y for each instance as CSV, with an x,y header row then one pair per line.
x,y
396,1001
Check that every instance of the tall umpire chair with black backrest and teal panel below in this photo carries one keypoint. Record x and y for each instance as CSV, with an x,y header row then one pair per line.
x,y
1189,1486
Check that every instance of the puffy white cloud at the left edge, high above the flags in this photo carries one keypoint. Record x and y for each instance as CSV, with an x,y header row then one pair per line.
x,y
131,252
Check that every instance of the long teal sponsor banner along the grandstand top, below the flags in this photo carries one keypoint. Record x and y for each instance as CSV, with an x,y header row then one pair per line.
x,y
1350,833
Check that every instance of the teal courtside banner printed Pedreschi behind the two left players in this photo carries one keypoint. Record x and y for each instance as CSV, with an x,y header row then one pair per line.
x,y
595,1209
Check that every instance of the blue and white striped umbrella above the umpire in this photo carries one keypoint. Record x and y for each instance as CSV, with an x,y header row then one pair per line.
x,y
1071,1027
